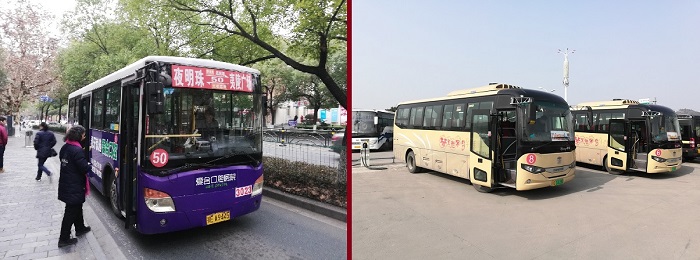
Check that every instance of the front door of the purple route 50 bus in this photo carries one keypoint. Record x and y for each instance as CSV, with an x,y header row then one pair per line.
x,y
128,143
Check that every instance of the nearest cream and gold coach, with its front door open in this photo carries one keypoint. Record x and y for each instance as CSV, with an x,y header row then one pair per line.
x,y
495,136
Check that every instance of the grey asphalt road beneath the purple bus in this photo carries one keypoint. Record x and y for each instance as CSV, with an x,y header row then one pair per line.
x,y
276,231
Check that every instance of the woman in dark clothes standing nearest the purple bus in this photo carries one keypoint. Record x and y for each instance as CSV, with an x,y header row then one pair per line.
x,y
72,185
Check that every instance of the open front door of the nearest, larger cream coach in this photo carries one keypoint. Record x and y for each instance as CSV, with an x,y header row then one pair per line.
x,y
480,152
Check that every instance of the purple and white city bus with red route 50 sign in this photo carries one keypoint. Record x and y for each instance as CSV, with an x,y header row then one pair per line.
x,y
174,143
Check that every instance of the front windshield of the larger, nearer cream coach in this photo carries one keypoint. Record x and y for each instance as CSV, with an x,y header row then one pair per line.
x,y
553,122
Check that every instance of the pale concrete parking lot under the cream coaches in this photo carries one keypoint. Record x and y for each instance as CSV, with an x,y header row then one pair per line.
x,y
397,214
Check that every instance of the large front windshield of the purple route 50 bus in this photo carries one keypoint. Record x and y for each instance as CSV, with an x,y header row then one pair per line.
x,y
201,125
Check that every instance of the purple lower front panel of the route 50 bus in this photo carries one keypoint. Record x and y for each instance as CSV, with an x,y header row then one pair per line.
x,y
196,194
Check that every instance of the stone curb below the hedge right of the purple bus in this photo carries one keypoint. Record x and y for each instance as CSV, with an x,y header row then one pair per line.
x,y
308,204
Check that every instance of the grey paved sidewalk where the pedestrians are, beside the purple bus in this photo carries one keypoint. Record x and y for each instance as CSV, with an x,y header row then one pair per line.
x,y
31,214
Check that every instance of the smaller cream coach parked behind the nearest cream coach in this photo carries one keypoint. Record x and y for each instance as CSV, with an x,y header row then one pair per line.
x,y
624,135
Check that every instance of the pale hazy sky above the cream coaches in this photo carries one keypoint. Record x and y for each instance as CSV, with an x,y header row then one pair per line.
x,y
407,50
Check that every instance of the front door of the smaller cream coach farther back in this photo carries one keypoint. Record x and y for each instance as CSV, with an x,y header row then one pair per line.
x,y
619,145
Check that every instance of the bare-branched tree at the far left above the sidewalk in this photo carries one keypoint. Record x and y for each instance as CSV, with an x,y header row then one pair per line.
x,y
29,55
